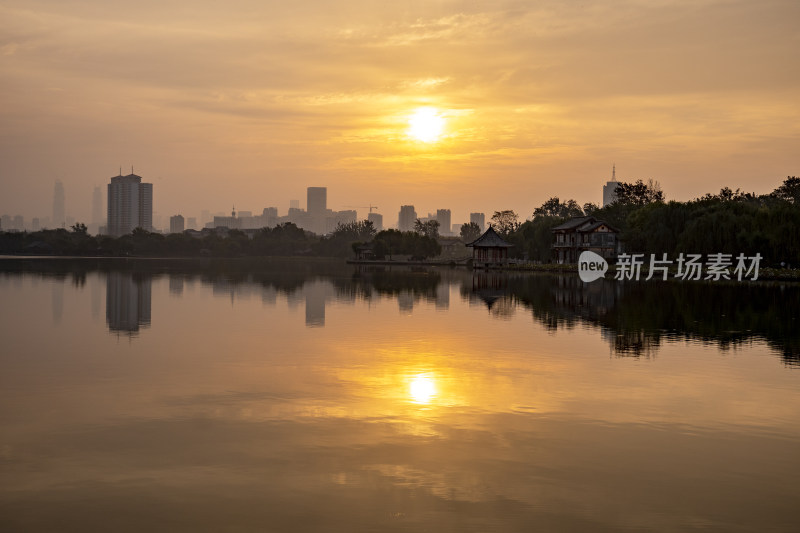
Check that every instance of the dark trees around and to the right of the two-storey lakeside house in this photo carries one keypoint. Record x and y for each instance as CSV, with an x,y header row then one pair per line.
x,y
729,222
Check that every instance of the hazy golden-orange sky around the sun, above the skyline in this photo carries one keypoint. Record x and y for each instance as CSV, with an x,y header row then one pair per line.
x,y
249,102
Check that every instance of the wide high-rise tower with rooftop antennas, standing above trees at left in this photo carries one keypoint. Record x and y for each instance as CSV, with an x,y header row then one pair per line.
x,y
130,205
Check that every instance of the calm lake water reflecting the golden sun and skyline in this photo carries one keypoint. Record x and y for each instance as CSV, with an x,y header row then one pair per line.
x,y
316,396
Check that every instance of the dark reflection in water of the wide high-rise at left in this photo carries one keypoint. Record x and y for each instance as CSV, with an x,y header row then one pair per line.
x,y
127,302
